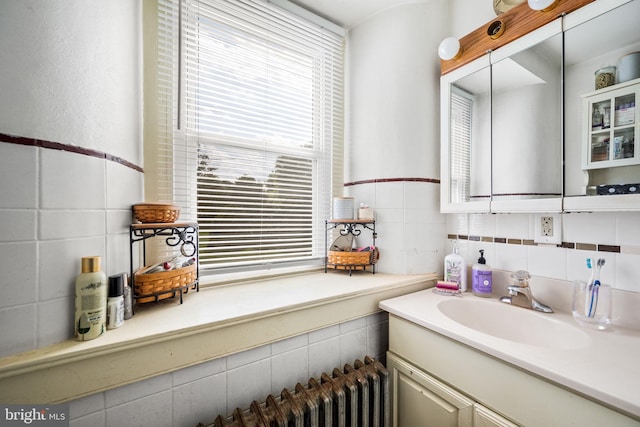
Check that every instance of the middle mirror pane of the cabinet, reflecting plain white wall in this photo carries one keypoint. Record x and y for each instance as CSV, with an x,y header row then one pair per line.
x,y
527,123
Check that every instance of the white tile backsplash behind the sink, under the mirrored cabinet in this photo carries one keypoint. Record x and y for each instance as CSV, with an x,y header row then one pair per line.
x,y
596,228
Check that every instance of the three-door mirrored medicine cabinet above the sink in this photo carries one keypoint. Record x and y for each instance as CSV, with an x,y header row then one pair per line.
x,y
513,121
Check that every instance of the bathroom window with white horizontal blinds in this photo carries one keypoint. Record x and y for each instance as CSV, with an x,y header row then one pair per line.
x,y
254,136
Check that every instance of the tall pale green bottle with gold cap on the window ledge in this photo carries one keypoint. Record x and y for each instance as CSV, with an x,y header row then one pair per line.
x,y
91,300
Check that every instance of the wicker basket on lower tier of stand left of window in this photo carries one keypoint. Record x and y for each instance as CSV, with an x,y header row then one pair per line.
x,y
152,287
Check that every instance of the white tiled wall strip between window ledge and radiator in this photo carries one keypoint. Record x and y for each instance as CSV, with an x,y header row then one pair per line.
x,y
200,393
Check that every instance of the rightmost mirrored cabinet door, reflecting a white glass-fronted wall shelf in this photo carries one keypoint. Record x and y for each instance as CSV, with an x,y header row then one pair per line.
x,y
601,114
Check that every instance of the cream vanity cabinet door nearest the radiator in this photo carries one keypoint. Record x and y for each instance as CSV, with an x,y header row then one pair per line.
x,y
421,400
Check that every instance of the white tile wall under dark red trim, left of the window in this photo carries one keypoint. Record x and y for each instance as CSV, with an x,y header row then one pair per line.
x,y
56,207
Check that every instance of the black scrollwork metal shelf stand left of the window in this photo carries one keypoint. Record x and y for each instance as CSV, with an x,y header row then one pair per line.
x,y
184,234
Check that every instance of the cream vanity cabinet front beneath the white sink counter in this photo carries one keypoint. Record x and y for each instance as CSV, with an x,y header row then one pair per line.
x,y
436,380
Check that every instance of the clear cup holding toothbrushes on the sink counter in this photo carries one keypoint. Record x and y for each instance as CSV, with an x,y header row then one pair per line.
x,y
592,305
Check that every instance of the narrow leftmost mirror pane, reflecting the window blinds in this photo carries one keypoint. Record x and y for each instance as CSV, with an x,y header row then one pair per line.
x,y
470,138
